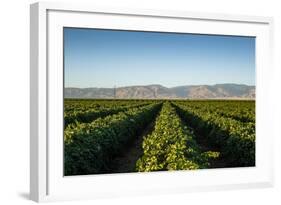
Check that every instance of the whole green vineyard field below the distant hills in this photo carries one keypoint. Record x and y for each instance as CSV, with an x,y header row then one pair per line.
x,y
117,136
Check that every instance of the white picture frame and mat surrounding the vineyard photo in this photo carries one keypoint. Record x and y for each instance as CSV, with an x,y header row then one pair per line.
x,y
47,182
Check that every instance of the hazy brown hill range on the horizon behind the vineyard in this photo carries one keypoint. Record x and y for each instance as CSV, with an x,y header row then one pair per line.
x,y
218,91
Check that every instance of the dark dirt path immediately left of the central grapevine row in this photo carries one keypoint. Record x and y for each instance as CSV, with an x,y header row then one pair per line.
x,y
126,162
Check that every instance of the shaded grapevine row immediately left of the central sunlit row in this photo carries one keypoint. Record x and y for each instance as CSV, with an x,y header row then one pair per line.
x,y
90,147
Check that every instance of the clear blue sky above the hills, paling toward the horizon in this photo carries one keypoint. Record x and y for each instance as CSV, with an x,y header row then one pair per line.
x,y
108,58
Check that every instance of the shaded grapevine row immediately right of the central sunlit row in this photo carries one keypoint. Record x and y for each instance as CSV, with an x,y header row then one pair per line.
x,y
236,139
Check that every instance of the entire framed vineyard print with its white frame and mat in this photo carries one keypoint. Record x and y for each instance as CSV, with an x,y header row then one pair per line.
x,y
127,102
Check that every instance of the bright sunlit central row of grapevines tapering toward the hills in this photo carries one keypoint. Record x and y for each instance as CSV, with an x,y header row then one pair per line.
x,y
171,146
